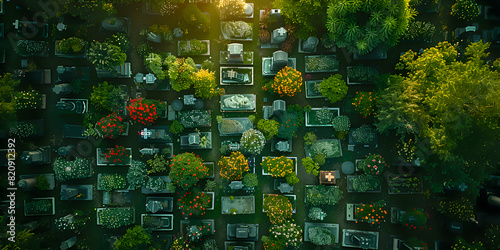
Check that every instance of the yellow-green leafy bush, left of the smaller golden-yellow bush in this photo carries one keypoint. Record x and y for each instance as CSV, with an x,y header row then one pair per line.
x,y
181,72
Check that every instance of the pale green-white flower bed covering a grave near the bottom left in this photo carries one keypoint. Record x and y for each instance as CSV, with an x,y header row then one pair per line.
x,y
116,217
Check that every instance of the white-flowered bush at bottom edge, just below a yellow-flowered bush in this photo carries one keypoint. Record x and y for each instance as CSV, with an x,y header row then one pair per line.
x,y
288,233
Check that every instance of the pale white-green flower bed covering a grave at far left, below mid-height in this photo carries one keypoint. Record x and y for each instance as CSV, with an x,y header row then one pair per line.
x,y
66,170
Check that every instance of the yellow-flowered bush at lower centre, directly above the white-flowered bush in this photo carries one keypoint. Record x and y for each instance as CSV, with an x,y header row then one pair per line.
x,y
278,208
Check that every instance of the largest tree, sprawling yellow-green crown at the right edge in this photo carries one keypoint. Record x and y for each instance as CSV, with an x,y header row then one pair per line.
x,y
456,104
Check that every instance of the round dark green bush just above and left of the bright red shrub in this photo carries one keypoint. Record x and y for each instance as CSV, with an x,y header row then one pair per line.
x,y
106,96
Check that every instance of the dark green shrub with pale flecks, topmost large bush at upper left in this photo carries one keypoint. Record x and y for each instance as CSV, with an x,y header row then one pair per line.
x,y
105,56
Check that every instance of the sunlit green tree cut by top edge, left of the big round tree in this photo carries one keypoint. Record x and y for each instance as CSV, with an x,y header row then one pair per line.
x,y
308,16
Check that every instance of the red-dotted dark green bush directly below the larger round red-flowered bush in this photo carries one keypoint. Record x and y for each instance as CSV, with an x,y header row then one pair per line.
x,y
193,203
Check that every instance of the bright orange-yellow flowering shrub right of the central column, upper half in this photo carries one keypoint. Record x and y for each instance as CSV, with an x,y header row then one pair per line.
x,y
287,82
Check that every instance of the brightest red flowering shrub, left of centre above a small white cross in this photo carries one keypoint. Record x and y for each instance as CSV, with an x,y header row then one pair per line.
x,y
144,111
